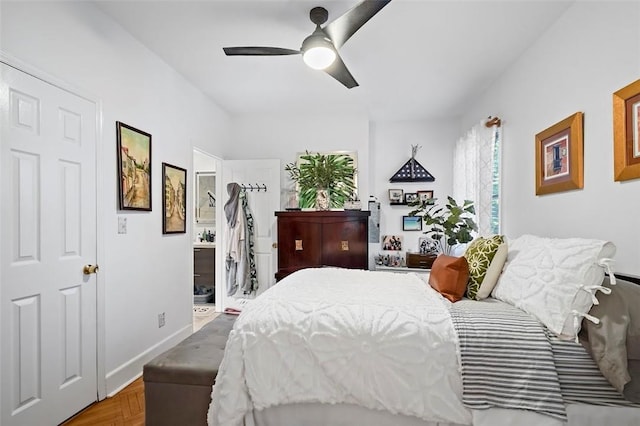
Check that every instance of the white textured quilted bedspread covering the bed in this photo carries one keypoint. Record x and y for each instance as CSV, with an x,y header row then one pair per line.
x,y
379,340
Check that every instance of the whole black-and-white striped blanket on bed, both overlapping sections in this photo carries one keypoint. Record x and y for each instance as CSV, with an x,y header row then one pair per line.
x,y
510,360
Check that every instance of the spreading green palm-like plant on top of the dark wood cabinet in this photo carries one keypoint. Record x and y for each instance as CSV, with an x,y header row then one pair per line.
x,y
324,180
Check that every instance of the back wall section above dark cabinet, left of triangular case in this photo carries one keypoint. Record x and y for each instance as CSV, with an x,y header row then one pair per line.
x,y
284,136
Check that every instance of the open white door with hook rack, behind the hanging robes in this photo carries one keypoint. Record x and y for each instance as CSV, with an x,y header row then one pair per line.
x,y
263,204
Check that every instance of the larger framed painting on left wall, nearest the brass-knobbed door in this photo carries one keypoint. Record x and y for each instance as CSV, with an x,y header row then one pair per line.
x,y
134,168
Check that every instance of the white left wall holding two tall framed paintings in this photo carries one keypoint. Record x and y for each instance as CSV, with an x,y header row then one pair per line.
x,y
143,272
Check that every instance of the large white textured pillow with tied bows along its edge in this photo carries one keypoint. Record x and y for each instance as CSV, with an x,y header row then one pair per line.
x,y
555,280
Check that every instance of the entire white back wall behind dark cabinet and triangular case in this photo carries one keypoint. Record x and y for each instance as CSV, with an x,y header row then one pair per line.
x,y
383,147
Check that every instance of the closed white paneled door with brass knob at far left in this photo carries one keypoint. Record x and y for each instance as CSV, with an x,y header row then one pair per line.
x,y
48,225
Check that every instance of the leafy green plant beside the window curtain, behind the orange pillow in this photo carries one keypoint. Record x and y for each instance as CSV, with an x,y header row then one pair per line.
x,y
447,225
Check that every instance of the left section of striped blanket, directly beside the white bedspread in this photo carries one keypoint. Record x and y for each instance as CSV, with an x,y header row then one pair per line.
x,y
507,360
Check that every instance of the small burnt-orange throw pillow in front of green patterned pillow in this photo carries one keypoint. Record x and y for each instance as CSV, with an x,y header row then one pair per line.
x,y
449,276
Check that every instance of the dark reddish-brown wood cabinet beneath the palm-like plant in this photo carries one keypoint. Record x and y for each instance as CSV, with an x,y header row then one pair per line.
x,y
322,238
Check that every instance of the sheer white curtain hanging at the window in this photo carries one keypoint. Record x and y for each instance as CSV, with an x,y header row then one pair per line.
x,y
476,175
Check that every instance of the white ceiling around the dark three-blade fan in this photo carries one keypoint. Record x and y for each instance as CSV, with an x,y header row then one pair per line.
x,y
416,59
